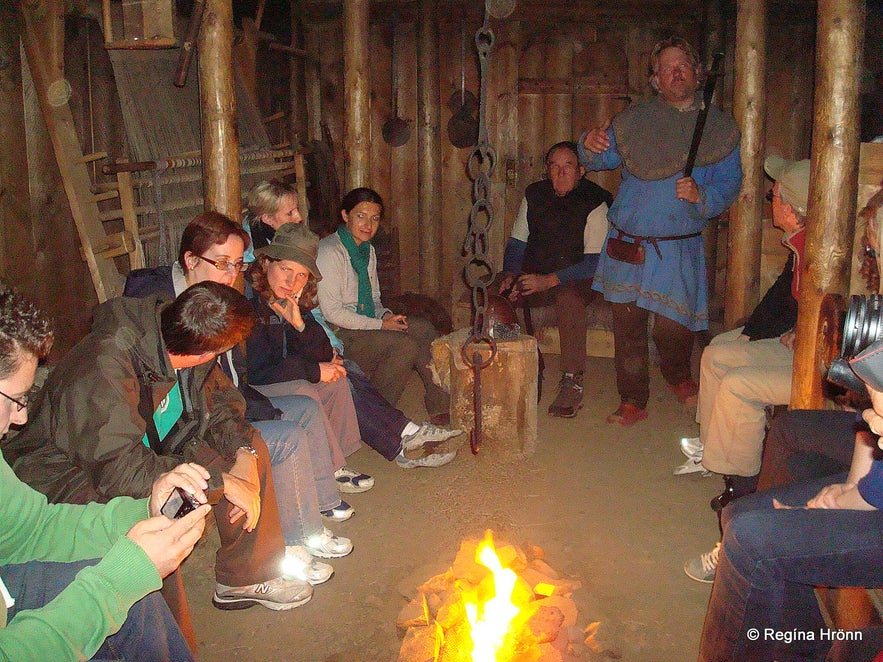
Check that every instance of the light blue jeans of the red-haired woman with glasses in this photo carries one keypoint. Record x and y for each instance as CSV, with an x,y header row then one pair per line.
x,y
293,478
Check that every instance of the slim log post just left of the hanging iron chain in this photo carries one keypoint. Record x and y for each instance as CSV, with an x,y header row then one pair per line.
x,y
429,218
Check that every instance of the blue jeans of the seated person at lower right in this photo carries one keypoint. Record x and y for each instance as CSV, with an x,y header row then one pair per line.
x,y
769,563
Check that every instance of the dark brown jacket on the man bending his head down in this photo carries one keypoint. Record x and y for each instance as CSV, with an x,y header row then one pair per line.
x,y
84,441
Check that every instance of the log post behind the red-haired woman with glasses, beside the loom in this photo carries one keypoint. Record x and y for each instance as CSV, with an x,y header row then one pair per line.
x,y
217,100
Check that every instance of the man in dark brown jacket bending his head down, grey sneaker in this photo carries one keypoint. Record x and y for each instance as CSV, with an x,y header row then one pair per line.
x,y
139,395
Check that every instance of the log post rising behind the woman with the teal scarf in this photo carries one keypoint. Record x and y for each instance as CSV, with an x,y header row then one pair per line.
x,y
356,100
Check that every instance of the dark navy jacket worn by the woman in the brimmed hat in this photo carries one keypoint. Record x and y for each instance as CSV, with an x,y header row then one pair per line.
x,y
277,352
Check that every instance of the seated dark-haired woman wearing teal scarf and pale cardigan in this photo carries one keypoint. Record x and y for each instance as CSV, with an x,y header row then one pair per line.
x,y
387,346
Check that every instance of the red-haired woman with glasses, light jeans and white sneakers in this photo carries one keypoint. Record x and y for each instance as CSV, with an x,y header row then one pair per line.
x,y
294,427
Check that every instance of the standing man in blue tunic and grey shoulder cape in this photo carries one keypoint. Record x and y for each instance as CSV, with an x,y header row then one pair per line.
x,y
664,213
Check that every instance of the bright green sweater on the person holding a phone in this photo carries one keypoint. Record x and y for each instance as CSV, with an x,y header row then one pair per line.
x,y
75,624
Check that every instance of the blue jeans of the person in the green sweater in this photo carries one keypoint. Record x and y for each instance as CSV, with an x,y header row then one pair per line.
x,y
148,633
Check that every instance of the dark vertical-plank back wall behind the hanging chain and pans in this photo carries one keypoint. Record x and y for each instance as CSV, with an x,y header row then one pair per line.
x,y
545,85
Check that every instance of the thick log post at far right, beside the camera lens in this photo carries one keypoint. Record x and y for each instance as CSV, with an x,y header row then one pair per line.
x,y
832,187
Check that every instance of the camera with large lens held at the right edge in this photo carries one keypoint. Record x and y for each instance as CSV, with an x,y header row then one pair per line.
x,y
862,326
